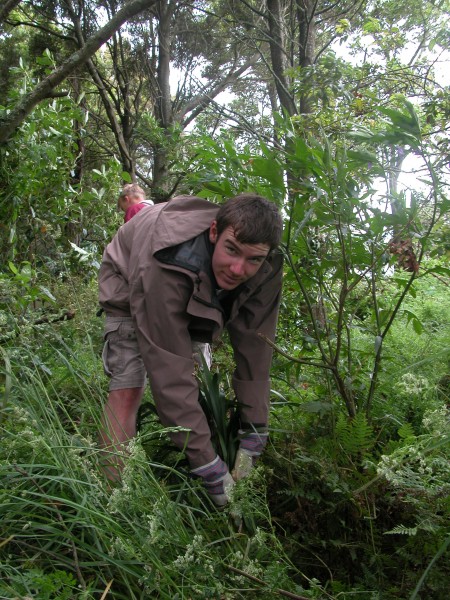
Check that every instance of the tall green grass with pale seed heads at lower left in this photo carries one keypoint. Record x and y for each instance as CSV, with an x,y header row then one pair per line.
x,y
66,534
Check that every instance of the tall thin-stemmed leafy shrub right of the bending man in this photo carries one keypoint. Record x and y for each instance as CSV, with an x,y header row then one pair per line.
x,y
340,243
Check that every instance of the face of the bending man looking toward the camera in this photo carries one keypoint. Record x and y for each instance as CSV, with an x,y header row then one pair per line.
x,y
233,262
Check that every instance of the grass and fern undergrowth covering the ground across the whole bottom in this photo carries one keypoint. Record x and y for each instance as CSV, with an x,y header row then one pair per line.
x,y
336,508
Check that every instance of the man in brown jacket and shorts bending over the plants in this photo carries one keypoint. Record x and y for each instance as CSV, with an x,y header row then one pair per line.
x,y
182,272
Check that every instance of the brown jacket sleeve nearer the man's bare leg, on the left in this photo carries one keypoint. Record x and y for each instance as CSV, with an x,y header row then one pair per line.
x,y
158,299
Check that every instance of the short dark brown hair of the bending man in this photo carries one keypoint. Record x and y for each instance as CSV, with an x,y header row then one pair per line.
x,y
254,219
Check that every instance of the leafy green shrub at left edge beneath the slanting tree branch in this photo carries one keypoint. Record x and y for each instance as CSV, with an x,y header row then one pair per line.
x,y
45,204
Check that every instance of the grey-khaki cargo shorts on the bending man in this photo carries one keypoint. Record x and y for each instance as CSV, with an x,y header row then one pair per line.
x,y
122,360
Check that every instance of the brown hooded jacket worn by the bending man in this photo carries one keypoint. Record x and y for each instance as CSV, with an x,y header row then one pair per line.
x,y
173,302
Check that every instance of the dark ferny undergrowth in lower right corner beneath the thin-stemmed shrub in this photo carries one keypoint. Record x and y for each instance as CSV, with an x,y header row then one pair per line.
x,y
335,509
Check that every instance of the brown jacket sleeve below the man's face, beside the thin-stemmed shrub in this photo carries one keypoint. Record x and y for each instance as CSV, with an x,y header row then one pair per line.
x,y
253,356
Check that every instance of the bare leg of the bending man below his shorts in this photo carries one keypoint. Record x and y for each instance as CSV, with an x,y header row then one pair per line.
x,y
118,426
